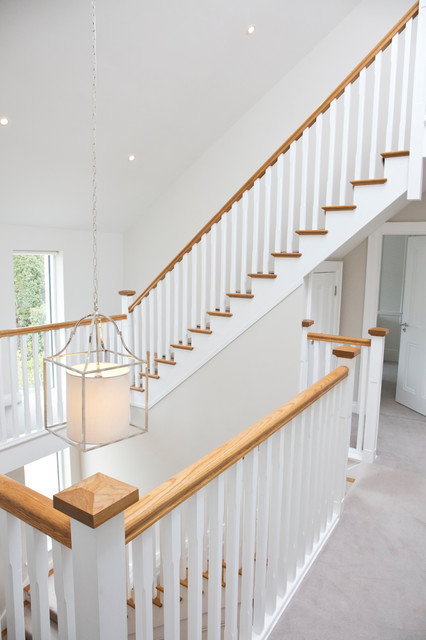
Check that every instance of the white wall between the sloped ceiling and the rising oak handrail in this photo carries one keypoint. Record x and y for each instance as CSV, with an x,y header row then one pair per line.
x,y
187,205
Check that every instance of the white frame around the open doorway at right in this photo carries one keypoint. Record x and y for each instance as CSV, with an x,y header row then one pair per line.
x,y
374,263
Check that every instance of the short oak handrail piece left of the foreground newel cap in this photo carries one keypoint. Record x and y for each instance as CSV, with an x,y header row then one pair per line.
x,y
34,509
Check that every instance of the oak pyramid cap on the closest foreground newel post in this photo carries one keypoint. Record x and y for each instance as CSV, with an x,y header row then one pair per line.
x,y
95,500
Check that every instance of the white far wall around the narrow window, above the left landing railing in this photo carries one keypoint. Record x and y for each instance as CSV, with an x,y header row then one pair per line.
x,y
76,251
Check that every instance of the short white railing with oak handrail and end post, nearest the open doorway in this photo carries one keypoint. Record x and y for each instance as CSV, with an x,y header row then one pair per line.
x,y
321,357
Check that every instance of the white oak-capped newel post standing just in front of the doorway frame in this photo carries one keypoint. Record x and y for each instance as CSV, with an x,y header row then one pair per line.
x,y
374,389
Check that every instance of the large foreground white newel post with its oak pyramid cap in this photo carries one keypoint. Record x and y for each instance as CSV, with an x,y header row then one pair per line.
x,y
96,508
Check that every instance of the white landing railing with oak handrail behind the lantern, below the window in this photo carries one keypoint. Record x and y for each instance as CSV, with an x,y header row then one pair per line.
x,y
22,406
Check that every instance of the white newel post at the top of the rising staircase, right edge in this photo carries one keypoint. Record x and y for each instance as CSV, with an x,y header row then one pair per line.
x,y
417,134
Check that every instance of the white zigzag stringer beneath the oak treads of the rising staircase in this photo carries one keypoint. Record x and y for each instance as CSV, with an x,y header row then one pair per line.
x,y
374,205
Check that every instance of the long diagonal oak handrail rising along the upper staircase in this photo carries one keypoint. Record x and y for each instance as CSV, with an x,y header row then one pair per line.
x,y
365,63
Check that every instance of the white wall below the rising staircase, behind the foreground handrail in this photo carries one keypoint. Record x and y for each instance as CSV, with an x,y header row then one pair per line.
x,y
254,375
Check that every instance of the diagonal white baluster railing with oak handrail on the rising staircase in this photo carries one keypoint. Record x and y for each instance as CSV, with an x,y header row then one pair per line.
x,y
288,197
